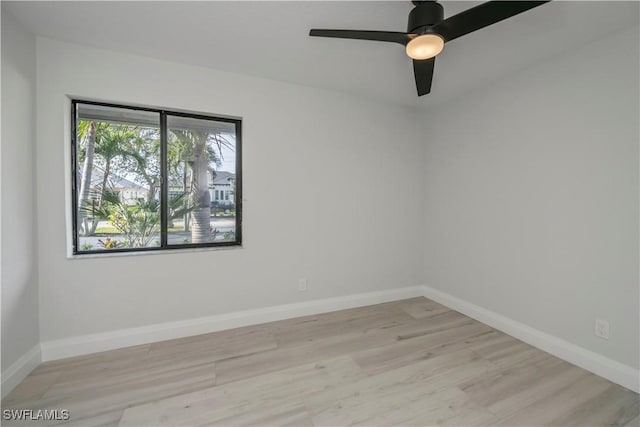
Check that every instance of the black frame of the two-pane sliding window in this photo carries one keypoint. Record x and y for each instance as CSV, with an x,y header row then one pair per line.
x,y
164,187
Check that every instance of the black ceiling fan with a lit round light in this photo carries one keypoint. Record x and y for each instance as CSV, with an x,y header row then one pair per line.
x,y
427,31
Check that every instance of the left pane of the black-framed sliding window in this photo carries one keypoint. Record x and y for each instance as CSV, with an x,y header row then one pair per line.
x,y
117,178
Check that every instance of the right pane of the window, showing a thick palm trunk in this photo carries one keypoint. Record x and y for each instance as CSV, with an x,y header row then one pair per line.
x,y
201,158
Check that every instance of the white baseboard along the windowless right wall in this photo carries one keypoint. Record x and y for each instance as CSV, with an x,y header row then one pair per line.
x,y
616,372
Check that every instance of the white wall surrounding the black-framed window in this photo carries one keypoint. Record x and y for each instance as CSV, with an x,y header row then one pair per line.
x,y
309,142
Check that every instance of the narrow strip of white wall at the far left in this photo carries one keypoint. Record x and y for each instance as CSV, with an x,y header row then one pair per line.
x,y
19,258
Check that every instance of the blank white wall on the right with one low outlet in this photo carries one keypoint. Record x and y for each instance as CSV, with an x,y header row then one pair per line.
x,y
531,196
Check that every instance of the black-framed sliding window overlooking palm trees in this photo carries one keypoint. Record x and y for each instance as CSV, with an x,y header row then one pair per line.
x,y
141,179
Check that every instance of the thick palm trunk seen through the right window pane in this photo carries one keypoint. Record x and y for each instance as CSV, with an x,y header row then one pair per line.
x,y
201,215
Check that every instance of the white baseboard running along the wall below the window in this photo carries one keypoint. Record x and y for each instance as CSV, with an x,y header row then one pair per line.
x,y
86,344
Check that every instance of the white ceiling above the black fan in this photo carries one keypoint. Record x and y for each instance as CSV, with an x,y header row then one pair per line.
x,y
270,39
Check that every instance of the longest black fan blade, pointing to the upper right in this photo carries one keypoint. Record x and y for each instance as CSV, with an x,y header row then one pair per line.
x,y
481,16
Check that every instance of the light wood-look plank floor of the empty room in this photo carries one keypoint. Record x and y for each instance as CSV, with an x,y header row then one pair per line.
x,y
411,362
